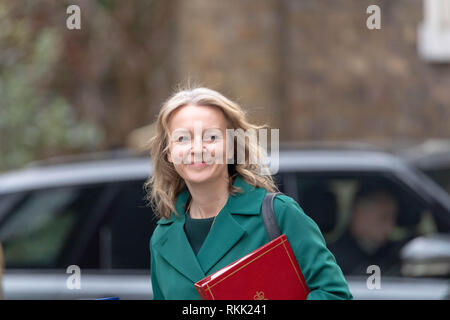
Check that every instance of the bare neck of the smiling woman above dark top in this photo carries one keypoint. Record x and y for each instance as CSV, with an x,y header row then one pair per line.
x,y
208,198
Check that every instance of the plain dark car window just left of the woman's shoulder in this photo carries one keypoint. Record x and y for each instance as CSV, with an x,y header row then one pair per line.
x,y
125,236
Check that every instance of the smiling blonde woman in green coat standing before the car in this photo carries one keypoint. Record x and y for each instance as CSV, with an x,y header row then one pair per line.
x,y
209,203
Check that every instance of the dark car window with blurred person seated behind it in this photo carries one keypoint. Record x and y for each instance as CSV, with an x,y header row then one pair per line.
x,y
365,219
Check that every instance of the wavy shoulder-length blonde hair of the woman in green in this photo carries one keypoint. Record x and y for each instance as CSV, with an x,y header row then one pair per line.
x,y
165,184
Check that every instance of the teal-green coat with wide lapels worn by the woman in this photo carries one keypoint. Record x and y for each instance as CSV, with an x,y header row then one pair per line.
x,y
238,230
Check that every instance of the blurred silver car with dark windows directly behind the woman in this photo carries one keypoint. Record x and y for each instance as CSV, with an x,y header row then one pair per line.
x,y
93,214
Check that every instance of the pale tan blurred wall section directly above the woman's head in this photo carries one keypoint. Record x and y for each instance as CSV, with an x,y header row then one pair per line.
x,y
231,46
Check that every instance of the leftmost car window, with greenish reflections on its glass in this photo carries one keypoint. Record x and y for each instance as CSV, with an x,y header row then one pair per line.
x,y
36,229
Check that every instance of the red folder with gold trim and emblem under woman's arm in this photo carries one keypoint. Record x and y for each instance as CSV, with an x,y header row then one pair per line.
x,y
271,272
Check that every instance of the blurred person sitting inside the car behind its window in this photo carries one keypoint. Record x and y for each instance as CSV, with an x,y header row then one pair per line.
x,y
367,239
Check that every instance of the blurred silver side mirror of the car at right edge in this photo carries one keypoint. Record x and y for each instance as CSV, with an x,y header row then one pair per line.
x,y
427,256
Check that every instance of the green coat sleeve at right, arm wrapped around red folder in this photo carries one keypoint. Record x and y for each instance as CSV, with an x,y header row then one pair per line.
x,y
323,276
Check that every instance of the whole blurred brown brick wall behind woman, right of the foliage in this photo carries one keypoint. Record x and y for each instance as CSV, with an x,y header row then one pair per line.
x,y
313,69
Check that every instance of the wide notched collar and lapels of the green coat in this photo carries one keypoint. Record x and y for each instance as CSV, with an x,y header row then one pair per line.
x,y
225,233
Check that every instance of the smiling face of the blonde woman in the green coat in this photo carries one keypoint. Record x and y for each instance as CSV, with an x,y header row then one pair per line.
x,y
197,143
